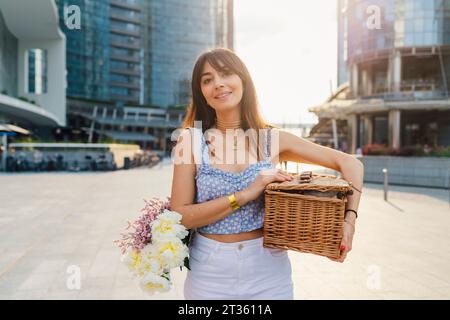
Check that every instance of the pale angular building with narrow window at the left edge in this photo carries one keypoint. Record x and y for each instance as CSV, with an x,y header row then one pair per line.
x,y
32,90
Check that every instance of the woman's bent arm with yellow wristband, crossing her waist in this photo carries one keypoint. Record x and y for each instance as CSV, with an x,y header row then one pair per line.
x,y
183,191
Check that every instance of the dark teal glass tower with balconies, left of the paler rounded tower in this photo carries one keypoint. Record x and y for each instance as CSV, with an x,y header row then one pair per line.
x,y
103,56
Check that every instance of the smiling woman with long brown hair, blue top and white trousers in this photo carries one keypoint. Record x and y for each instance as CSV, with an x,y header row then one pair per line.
x,y
223,199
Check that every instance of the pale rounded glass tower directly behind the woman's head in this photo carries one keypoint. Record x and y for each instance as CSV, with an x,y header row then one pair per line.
x,y
180,31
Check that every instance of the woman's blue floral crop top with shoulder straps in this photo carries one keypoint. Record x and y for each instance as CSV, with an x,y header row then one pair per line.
x,y
212,183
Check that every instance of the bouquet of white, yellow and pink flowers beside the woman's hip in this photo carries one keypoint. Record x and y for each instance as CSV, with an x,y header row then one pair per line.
x,y
154,244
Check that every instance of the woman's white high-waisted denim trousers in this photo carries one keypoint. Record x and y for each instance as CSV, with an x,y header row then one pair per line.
x,y
240,270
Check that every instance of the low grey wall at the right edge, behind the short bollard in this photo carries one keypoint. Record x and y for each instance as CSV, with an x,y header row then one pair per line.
x,y
412,171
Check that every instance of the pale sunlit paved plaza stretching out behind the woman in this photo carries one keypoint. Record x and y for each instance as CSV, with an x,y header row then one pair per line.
x,y
54,225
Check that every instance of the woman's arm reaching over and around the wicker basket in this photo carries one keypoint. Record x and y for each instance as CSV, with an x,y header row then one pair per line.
x,y
294,148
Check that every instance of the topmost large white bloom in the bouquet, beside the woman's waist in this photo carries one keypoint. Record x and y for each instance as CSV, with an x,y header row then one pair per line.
x,y
168,225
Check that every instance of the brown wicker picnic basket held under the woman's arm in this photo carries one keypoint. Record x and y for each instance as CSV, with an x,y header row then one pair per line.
x,y
306,216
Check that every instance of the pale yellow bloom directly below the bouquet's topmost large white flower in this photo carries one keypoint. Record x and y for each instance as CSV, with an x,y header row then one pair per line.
x,y
172,252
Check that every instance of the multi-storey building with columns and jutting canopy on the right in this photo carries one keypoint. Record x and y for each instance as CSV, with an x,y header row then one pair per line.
x,y
395,55
